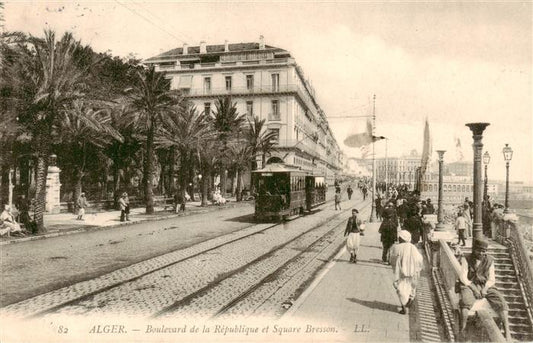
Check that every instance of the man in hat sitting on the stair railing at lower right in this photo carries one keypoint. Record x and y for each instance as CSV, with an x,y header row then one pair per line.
x,y
479,280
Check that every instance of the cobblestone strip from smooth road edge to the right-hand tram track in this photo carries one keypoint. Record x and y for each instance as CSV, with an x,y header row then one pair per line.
x,y
187,274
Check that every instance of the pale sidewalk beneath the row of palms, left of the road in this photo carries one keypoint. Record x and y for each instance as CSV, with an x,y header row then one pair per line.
x,y
66,223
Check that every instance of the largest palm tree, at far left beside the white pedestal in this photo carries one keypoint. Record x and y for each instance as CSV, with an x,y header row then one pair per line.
x,y
41,77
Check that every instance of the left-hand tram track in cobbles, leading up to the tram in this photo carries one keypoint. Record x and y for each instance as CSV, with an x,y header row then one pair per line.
x,y
56,301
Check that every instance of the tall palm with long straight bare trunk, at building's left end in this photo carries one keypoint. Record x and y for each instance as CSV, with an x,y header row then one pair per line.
x,y
152,101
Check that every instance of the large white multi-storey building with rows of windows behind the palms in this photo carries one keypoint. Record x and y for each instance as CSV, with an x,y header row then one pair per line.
x,y
263,81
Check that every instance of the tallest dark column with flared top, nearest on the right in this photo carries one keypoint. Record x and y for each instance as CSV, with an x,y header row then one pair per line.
x,y
477,134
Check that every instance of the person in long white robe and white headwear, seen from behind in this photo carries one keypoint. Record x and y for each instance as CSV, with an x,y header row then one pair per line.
x,y
406,263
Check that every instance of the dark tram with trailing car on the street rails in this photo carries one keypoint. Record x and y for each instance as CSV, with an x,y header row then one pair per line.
x,y
283,191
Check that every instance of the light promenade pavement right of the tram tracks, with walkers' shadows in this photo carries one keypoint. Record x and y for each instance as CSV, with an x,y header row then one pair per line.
x,y
358,300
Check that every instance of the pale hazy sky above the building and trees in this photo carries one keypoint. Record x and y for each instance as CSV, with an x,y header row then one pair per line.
x,y
451,63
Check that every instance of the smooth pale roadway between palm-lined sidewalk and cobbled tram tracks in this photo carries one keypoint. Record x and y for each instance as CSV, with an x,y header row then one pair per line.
x,y
35,267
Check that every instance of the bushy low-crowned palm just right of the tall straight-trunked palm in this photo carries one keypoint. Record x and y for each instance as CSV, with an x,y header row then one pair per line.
x,y
188,131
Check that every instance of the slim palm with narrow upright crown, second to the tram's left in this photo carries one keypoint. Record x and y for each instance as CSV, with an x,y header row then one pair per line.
x,y
227,122
